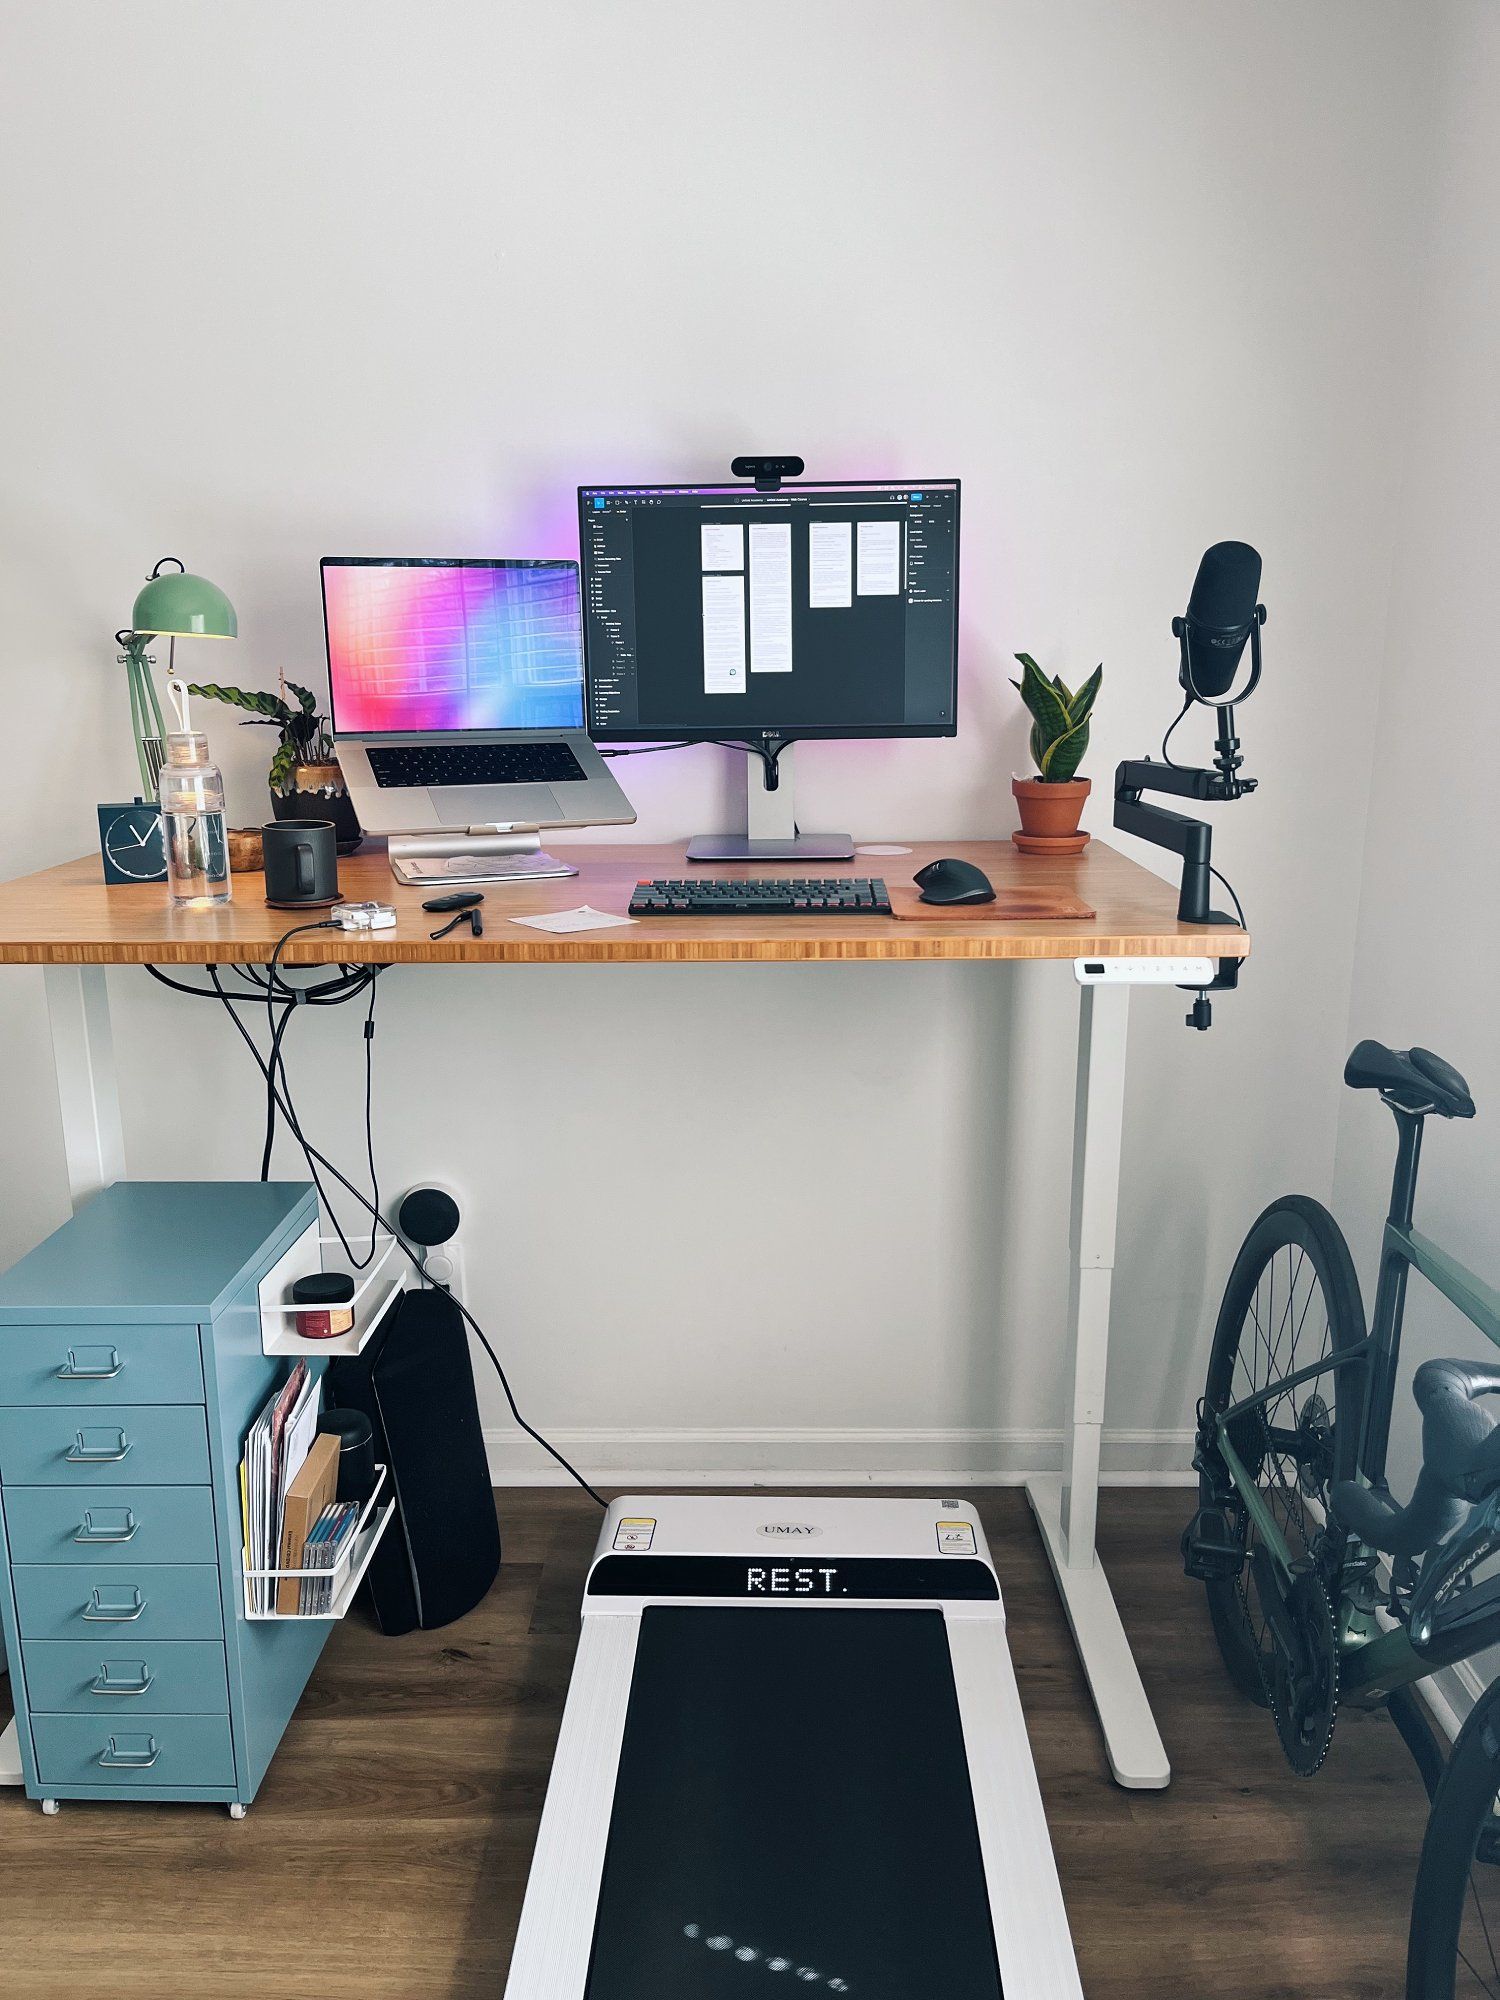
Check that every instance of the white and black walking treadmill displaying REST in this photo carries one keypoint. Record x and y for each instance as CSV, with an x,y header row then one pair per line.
x,y
793,1761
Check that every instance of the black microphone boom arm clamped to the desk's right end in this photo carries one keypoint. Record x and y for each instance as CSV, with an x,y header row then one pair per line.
x,y
1177,831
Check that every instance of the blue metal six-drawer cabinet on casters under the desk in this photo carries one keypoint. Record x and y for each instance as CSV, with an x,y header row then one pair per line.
x,y
131,1369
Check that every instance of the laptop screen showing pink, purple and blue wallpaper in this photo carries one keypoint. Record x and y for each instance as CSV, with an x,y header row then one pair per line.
x,y
429,645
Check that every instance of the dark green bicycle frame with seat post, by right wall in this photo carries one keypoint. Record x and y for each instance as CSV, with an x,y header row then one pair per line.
x,y
1375,1661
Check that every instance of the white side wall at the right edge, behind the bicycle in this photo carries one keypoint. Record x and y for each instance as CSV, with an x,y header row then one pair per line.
x,y
1429,957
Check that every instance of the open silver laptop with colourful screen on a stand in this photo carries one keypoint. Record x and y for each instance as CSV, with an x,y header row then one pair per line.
x,y
457,695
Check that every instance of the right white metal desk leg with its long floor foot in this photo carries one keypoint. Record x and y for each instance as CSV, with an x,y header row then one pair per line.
x,y
1067,1507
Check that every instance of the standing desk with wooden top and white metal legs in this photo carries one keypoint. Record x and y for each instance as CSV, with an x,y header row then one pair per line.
x,y
67,921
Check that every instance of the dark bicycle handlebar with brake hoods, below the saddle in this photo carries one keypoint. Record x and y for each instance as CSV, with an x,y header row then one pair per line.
x,y
1461,1465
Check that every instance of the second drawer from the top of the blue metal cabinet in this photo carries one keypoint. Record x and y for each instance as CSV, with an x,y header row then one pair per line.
x,y
77,1447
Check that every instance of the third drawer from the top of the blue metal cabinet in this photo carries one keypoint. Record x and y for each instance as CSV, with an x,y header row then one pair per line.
x,y
111,1525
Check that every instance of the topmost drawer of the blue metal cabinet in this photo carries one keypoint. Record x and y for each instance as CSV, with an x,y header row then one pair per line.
x,y
101,1365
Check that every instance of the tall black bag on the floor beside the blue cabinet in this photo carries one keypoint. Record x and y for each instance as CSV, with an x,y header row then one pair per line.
x,y
417,1387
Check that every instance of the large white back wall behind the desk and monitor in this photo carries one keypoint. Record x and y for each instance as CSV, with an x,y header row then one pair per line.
x,y
387,279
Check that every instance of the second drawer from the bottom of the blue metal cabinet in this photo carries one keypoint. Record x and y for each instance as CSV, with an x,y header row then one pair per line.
x,y
115,1681
